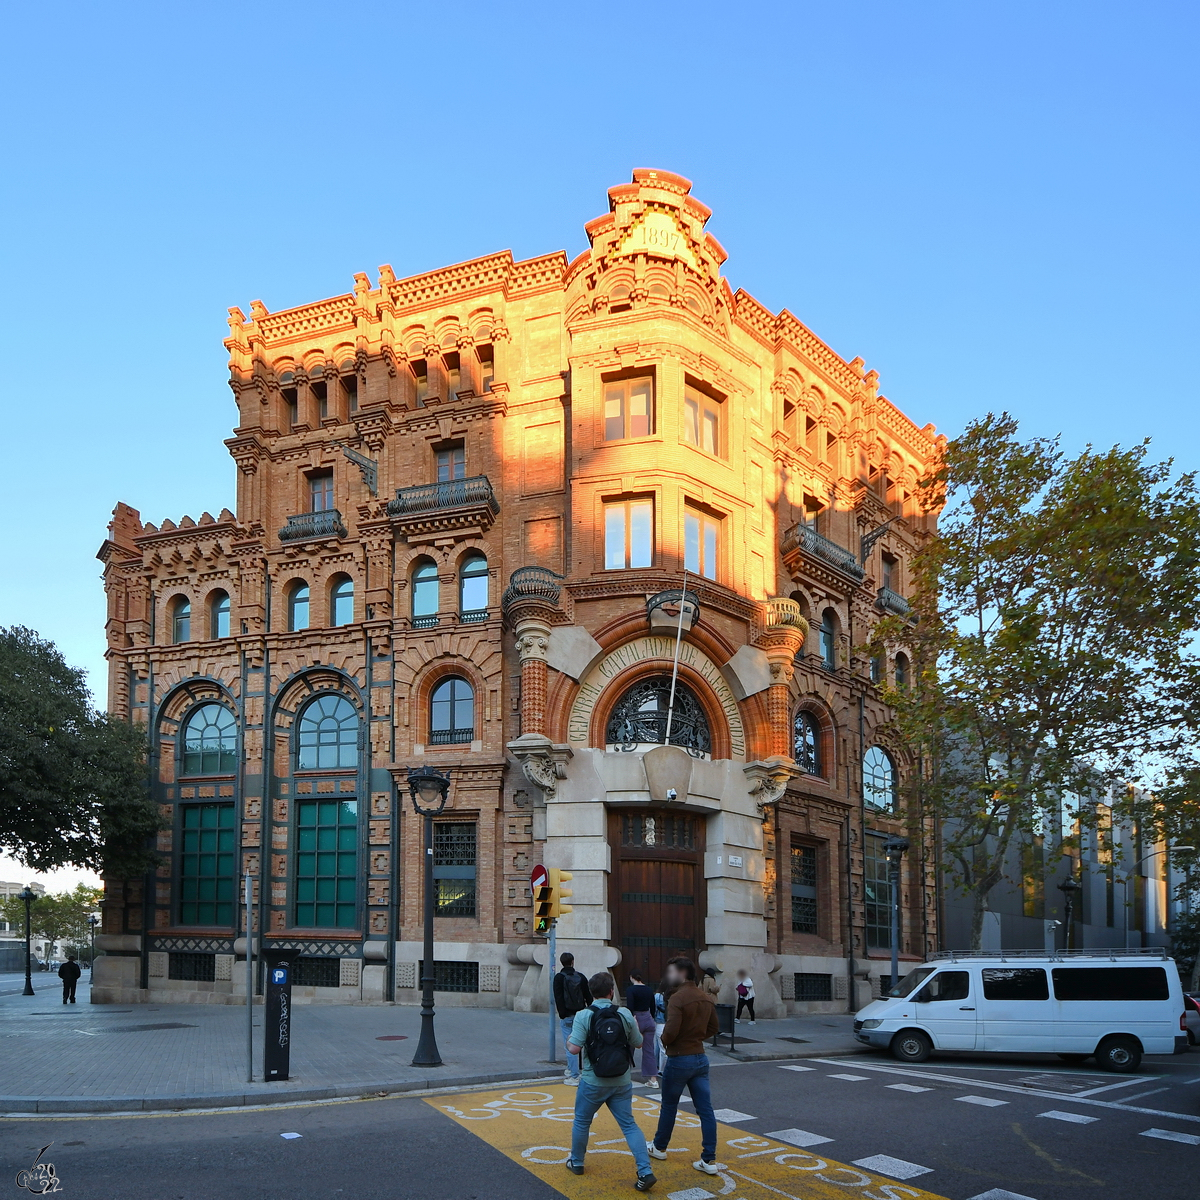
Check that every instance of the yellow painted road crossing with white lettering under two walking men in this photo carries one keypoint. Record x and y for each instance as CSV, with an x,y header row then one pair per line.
x,y
532,1126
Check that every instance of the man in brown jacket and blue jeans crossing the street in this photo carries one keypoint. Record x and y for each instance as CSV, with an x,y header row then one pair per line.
x,y
692,1018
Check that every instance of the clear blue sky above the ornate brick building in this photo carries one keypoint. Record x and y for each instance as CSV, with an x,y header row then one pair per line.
x,y
994,205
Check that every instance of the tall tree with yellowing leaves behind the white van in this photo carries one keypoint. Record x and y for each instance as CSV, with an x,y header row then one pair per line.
x,y
1053,645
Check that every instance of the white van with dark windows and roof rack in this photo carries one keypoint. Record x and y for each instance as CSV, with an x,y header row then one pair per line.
x,y
1115,1005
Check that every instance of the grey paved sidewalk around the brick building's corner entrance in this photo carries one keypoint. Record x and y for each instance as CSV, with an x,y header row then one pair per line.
x,y
109,1059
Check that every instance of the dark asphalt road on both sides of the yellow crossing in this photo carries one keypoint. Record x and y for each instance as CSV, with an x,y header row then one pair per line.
x,y
928,1117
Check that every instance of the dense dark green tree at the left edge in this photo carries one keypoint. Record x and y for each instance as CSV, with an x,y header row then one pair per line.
x,y
73,781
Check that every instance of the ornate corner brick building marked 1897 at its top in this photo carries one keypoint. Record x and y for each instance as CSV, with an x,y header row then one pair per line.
x,y
466,502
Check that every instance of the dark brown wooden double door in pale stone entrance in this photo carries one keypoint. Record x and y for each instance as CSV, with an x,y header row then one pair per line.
x,y
658,892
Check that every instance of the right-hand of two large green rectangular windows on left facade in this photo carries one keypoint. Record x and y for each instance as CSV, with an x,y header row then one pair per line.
x,y
327,865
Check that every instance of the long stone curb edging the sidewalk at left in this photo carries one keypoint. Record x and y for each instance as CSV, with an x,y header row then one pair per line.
x,y
31,1106
